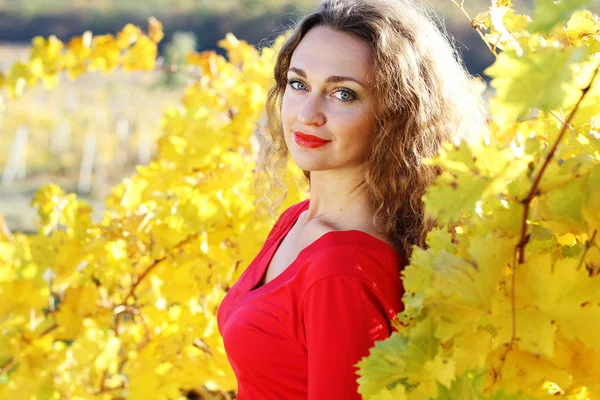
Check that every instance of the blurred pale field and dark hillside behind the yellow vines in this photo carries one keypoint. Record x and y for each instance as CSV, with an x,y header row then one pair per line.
x,y
89,134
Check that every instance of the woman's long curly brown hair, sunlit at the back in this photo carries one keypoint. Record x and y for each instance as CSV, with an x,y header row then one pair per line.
x,y
423,100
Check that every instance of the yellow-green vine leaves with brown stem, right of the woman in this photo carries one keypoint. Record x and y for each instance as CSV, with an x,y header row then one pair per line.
x,y
506,305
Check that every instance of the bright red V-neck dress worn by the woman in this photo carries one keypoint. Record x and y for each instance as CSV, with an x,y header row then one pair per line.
x,y
299,335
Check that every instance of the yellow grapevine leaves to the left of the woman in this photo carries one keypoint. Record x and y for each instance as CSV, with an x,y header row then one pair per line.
x,y
127,306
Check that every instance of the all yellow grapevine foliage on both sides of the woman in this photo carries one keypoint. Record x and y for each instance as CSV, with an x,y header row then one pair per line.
x,y
504,305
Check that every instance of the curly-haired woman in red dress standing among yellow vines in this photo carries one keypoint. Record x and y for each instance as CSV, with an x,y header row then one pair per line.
x,y
363,91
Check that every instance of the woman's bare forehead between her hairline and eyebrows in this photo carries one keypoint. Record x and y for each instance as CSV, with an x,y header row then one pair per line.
x,y
323,52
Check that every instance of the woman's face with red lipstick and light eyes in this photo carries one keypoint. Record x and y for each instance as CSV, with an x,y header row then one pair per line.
x,y
328,96
